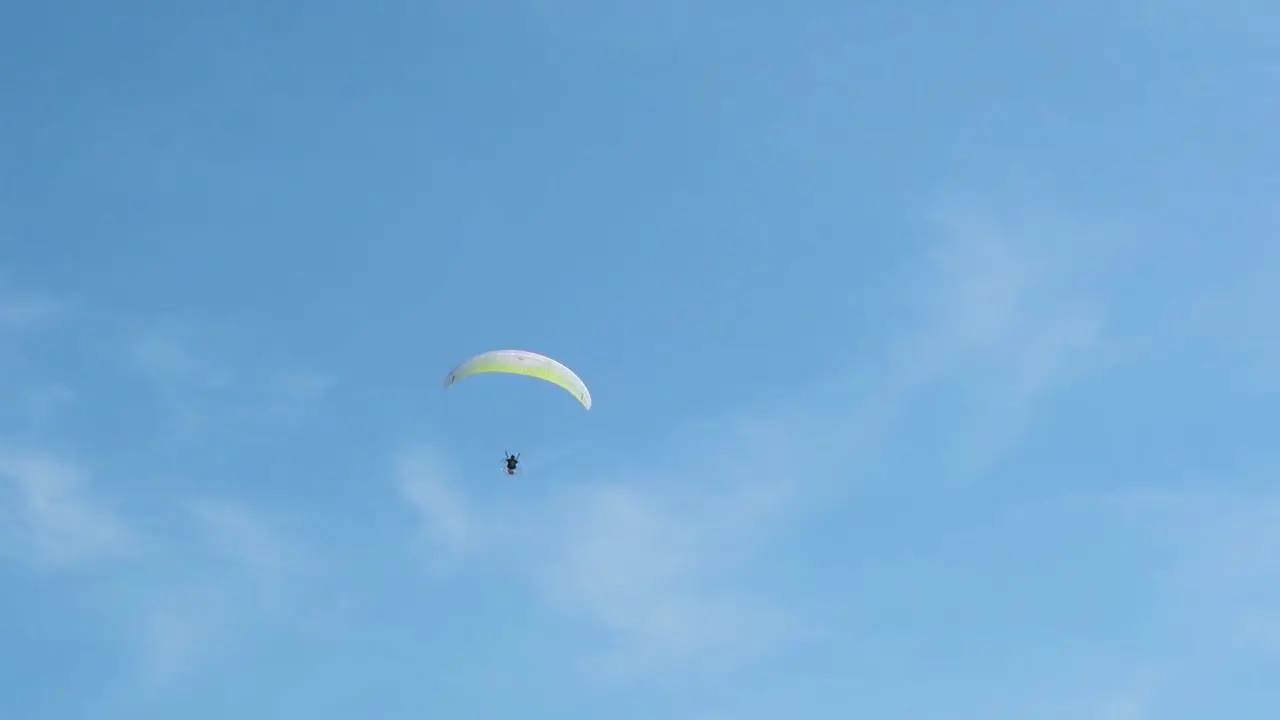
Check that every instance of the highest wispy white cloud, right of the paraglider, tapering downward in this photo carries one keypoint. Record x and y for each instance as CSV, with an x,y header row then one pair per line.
x,y
1004,316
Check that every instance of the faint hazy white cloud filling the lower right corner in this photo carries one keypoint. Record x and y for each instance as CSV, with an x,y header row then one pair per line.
x,y
1214,596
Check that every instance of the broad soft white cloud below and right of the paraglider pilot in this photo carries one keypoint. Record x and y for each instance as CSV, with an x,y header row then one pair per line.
x,y
665,572
